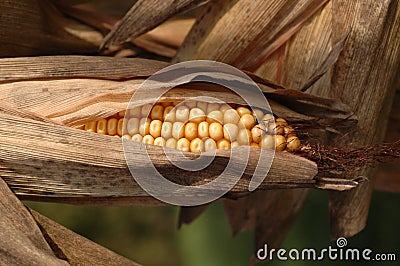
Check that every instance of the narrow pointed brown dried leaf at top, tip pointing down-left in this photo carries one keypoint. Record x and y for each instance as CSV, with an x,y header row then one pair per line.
x,y
144,16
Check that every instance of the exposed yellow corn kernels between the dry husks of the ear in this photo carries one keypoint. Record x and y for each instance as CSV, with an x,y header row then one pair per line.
x,y
198,127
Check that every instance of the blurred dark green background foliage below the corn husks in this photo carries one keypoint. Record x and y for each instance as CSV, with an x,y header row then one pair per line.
x,y
149,235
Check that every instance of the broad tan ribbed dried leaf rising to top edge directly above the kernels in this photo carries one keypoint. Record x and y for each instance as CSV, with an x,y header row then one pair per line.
x,y
256,29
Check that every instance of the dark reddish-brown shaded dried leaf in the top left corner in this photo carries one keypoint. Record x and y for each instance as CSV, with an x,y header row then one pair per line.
x,y
41,30
